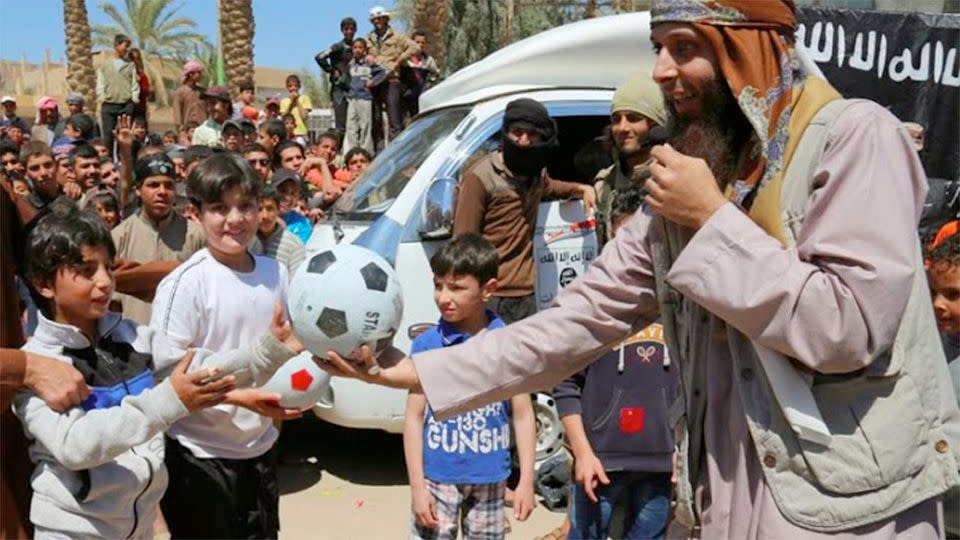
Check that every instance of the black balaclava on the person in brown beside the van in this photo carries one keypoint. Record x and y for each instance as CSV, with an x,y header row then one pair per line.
x,y
527,161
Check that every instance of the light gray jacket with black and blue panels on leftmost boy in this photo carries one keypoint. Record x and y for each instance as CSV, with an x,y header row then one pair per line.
x,y
99,466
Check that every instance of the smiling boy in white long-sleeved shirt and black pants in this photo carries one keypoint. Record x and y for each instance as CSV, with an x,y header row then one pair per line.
x,y
222,461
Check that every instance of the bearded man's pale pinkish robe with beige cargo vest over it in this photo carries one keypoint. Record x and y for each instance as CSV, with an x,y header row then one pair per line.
x,y
848,302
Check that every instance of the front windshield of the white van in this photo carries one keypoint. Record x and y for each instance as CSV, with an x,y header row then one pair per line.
x,y
377,188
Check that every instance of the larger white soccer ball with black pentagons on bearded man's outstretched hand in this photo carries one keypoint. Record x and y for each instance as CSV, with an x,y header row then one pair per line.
x,y
343,298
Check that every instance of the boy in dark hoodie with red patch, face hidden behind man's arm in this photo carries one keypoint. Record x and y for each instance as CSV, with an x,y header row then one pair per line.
x,y
615,417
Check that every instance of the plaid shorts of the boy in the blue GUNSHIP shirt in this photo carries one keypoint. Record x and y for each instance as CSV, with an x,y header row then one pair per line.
x,y
476,508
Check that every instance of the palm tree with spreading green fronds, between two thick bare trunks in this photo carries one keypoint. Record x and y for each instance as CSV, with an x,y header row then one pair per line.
x,y
164,38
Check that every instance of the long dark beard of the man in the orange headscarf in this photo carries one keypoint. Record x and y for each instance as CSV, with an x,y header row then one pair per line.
x,y
718,136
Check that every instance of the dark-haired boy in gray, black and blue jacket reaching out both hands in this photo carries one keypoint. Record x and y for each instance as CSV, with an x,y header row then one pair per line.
x,y
99,466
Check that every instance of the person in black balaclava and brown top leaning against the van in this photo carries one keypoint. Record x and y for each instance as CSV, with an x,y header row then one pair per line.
x,y
499,197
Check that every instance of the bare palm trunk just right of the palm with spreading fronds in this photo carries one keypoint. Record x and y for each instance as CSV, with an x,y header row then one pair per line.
x,y
236,41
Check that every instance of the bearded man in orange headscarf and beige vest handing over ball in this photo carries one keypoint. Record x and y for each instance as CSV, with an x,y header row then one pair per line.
x,y
816,399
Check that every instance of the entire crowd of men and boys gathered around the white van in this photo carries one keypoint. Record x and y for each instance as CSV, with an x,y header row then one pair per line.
x,y
145,274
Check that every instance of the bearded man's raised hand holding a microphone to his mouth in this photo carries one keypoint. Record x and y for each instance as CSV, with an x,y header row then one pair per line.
x,y
681,188
